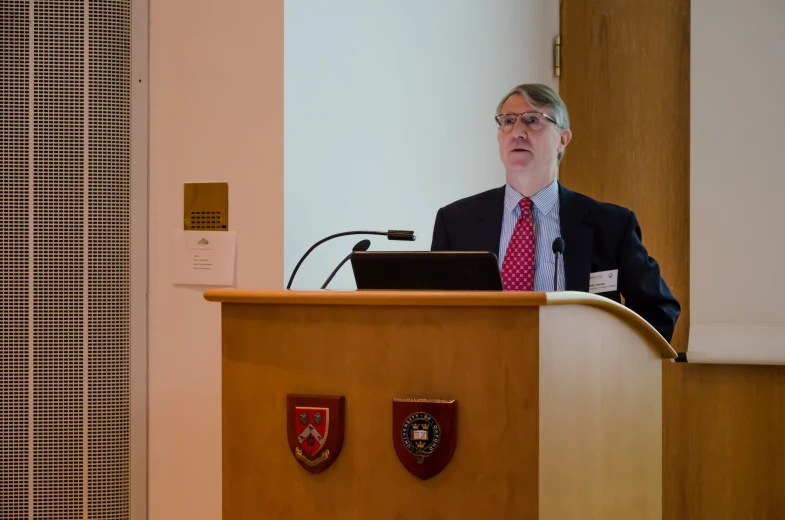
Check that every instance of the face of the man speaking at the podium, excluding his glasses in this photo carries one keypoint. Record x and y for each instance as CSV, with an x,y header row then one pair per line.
x,y
527,150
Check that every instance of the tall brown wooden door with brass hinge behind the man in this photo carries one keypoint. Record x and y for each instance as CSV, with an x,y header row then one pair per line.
x,y
626,82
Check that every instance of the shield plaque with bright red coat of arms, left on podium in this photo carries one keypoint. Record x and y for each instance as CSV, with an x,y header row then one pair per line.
x,y
315,429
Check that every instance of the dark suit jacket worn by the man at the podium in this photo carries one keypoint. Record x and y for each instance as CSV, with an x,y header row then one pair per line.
x,y
597,237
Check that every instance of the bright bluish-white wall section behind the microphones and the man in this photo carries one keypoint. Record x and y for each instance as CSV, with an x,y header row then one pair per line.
x,y
388,114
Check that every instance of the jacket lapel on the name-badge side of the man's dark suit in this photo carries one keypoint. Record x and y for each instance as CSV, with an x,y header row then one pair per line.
x,y
578,239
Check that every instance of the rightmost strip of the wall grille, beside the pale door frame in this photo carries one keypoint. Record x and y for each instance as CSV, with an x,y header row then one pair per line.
x,y
109,269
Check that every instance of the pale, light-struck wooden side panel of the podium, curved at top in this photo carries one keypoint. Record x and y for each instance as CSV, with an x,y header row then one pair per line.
x,y
600,418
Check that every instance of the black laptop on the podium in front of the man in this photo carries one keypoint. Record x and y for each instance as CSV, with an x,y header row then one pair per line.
x,y
426,270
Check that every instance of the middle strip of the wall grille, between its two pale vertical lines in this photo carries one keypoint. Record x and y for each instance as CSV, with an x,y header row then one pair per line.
x,y
58,445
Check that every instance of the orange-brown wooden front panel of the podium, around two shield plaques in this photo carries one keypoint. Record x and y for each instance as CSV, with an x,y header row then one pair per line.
x,y
371,355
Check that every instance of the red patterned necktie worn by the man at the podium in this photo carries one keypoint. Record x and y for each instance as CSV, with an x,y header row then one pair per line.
x,y
518,266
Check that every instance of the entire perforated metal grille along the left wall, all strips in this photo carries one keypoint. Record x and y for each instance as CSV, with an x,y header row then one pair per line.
x,y
65,293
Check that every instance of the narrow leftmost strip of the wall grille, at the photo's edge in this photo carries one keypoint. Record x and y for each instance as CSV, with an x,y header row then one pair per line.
x,y
14,254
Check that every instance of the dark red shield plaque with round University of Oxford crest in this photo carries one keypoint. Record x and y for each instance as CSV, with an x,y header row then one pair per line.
x,y
424,434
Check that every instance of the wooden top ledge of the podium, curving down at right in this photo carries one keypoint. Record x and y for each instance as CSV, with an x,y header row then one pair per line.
x,y
442,298
